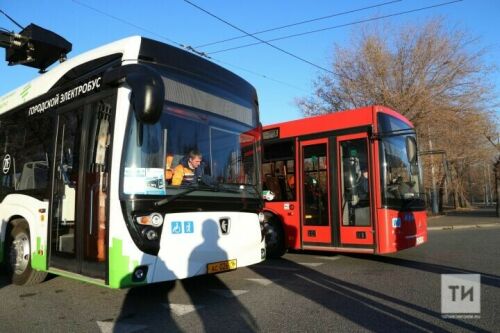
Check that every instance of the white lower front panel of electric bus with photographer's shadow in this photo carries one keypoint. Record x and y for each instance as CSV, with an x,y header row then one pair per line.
x,y
190,241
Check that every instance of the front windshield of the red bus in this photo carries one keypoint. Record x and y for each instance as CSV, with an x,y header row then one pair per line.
x,y
401,179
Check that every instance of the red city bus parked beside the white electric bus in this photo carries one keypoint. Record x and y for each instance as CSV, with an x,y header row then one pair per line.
x,y
348,181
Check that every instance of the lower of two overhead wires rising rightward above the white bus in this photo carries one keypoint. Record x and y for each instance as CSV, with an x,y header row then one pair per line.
x,y
335,27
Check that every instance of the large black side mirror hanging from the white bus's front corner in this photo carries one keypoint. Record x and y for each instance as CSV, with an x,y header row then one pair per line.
x,y
148,90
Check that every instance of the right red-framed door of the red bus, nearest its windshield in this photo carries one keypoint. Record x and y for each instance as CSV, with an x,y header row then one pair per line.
x,y
356,227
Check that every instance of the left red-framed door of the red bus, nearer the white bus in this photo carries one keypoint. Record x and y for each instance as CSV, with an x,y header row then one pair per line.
x,y
315,214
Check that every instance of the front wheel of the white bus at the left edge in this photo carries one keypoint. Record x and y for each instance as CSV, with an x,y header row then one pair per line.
x,y
18,256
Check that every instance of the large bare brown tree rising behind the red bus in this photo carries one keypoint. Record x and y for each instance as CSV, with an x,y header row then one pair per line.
x,y
434,76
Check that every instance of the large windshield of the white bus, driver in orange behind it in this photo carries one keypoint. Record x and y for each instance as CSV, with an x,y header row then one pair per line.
x,y
156,154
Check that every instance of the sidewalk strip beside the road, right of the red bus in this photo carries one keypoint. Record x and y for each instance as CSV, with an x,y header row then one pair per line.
x,y
461,219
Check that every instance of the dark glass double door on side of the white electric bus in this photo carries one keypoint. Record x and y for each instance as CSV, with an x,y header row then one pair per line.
x,y
78,233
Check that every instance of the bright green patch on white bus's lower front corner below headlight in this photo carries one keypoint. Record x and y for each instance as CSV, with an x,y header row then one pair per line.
x,y
120,267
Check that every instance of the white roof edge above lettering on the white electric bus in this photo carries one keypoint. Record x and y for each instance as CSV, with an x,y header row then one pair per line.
x,y
128,47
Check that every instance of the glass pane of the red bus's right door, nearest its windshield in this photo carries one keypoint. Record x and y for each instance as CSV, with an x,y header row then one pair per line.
x,y
355,189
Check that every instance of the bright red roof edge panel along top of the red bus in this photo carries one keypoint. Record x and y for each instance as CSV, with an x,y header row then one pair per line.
x,y
364,116
